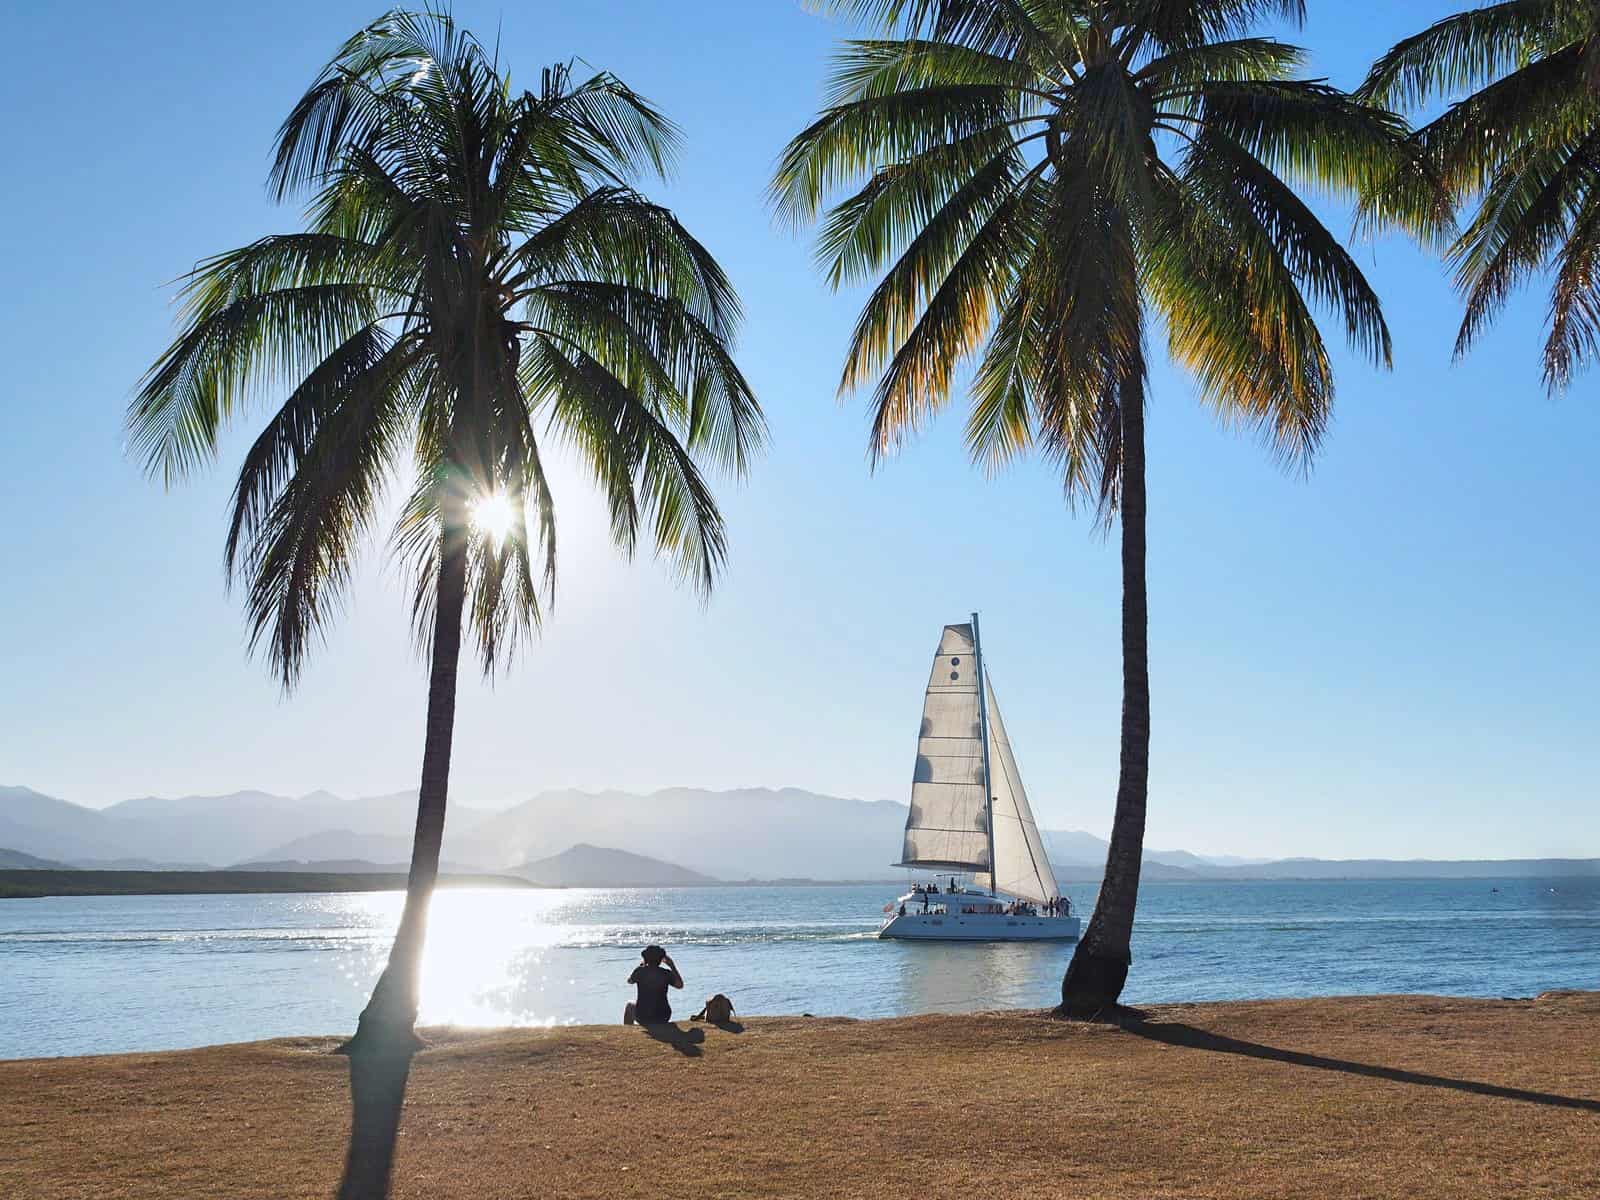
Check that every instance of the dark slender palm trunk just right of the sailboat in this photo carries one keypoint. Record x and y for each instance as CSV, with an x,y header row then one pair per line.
x,y
1100,966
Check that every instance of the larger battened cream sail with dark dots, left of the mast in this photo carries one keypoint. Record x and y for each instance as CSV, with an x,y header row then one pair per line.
x,y
948,823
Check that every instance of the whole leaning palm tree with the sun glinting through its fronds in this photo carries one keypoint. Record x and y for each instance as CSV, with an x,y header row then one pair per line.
x,y
479,281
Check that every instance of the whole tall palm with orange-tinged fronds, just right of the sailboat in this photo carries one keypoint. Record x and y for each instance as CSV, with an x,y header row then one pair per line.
x,y
1033,183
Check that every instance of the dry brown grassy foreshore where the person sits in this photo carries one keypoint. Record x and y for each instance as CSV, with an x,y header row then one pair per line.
x,y
1374,1097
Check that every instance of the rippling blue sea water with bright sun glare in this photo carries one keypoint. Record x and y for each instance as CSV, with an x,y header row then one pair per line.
x,y
121,974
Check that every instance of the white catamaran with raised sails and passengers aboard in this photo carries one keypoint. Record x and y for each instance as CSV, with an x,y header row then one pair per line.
x,y
970,825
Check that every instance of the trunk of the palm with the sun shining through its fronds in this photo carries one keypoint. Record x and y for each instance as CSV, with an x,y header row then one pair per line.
x,y
390,1017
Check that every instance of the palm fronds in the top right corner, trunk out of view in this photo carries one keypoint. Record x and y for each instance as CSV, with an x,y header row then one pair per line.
x,y
1526,146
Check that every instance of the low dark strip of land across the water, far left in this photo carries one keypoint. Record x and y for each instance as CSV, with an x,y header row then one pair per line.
x,y
36,884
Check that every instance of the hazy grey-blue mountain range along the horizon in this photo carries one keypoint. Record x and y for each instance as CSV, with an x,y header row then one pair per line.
x,y
734,836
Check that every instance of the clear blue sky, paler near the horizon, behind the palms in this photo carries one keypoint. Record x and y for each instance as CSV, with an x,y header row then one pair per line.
x,y
1394,657
